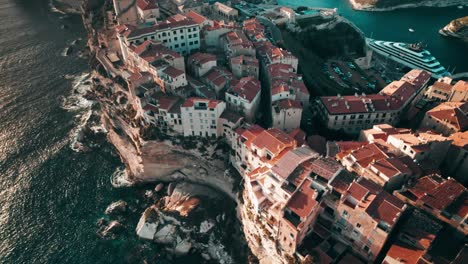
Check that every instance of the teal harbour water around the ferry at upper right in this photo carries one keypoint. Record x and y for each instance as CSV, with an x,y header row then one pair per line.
x,y
394,25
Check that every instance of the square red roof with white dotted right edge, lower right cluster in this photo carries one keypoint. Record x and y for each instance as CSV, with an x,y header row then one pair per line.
x,y
386,207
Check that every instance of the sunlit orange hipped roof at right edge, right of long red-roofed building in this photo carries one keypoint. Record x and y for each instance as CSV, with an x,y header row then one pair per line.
x,y
453,113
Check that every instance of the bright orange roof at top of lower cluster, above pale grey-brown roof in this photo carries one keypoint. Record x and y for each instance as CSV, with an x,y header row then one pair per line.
x,y
273,140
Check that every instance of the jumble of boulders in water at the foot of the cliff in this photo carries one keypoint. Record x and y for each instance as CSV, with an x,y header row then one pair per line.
x,y
189,220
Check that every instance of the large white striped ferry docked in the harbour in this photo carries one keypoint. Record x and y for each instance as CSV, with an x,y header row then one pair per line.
x,y
413,56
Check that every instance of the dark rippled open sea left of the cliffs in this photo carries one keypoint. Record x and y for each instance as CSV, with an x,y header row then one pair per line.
x,y
50,197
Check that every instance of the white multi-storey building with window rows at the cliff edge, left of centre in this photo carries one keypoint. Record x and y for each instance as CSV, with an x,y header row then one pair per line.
x,y
200,117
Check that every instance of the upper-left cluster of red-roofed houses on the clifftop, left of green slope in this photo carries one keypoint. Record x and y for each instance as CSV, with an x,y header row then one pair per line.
x,y
167,60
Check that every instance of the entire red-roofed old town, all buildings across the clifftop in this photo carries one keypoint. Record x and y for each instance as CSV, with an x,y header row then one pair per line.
x,y
198,73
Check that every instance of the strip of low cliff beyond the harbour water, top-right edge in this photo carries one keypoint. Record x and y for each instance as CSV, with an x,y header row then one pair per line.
x,y
381,5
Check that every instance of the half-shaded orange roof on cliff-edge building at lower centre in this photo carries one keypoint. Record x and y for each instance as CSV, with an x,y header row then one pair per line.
x,y
302,203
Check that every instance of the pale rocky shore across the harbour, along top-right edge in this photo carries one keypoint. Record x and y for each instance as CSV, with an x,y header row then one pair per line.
x,y
358,5
